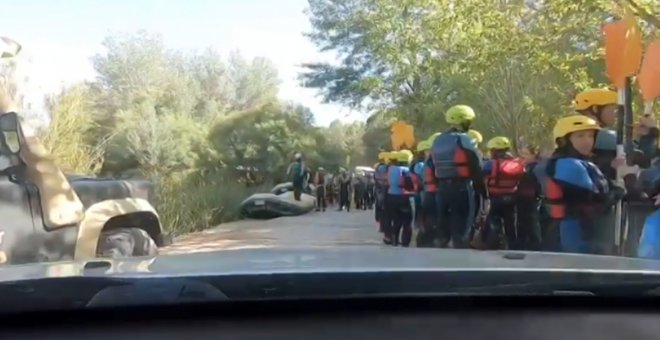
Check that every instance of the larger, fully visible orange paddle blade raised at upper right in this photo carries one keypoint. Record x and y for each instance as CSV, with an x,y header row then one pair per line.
x,y
623,49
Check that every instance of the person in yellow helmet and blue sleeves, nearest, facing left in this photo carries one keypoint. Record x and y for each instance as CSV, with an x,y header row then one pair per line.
x,y
575,191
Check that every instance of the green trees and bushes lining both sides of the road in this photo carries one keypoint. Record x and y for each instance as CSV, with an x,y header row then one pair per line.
x,y
196,123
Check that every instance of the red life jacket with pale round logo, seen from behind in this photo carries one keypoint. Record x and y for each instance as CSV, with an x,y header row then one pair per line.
x,y
505,176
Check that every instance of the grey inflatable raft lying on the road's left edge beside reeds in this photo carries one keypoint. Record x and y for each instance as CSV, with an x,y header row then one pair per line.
x,y
268,205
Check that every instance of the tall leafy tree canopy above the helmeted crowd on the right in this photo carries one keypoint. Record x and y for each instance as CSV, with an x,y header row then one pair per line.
x,y
517,62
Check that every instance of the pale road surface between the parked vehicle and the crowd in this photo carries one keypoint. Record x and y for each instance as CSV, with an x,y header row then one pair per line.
x,y
328,228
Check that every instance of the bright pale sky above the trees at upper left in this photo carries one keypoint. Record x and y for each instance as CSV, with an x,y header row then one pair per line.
x,y
59,37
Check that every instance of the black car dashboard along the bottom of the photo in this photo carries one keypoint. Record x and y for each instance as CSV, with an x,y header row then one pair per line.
x,y
355,318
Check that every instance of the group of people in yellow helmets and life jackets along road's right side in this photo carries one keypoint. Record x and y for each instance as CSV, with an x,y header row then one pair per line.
x,y
455,196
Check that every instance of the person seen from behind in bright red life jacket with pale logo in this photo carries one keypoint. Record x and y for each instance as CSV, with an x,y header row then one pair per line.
x,y
503,173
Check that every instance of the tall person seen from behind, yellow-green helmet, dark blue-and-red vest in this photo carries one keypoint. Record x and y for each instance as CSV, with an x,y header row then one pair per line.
x,y
457,170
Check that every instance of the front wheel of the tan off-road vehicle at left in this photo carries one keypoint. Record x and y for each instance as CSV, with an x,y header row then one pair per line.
x,y
125,242
